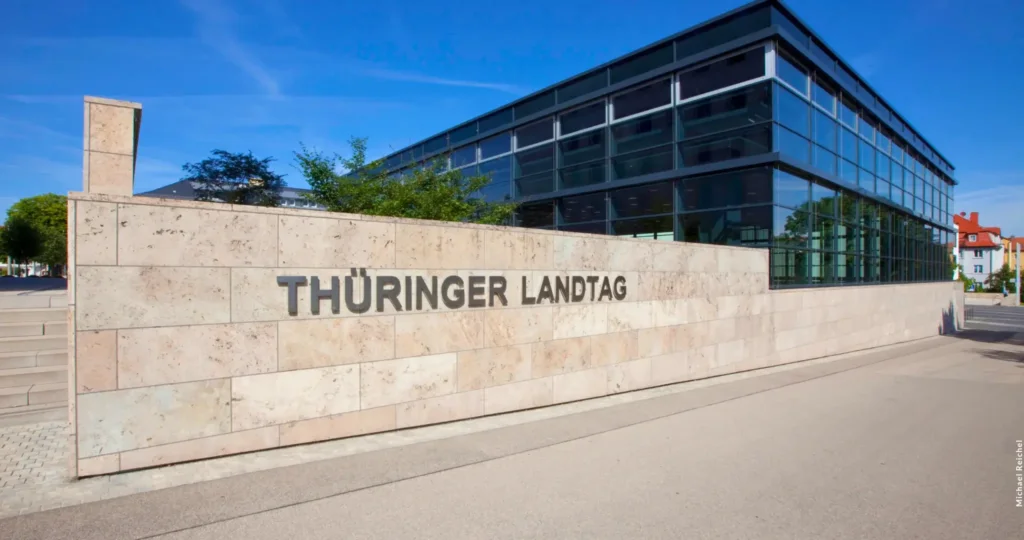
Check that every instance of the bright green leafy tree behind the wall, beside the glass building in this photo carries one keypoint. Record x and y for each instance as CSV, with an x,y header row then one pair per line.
x,y
429,192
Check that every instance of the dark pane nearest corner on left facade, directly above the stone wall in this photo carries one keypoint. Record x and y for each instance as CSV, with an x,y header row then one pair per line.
x,y
739,227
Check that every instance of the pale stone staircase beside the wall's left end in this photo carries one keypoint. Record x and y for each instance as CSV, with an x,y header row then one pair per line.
x,y
33,356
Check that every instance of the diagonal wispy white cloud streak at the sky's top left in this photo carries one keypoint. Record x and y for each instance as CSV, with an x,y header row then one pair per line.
x,y
216,26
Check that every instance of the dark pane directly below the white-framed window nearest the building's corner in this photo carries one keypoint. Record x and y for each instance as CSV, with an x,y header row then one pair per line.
x,y
726,112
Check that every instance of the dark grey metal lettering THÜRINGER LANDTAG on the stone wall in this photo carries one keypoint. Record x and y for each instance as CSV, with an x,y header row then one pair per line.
x,y
453,293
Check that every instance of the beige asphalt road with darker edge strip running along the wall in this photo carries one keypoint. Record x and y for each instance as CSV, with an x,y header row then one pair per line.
x,y
915,443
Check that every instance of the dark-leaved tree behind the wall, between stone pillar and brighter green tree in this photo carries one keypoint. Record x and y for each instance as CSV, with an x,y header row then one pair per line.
x,y
236,179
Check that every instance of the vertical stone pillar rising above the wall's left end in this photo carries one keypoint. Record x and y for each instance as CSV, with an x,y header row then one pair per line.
x,y
111,145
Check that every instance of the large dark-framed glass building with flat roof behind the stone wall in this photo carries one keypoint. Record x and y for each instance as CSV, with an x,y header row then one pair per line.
x,y
746,131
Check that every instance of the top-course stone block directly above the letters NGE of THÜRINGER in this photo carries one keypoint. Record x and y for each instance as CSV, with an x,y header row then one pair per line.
x,y
419,246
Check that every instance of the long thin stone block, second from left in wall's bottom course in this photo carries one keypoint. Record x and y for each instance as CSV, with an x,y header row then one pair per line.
x,y
217,446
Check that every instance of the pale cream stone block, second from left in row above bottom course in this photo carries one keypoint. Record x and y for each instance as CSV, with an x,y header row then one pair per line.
x,y
290,396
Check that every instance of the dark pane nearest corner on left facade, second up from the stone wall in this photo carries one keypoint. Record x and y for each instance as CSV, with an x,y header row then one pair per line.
x,y
731,189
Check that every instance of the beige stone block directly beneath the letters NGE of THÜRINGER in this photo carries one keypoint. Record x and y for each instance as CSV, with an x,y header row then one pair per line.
x,y
424,335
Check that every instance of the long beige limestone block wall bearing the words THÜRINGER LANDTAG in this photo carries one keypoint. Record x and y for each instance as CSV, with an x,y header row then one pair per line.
x,y
196,334
